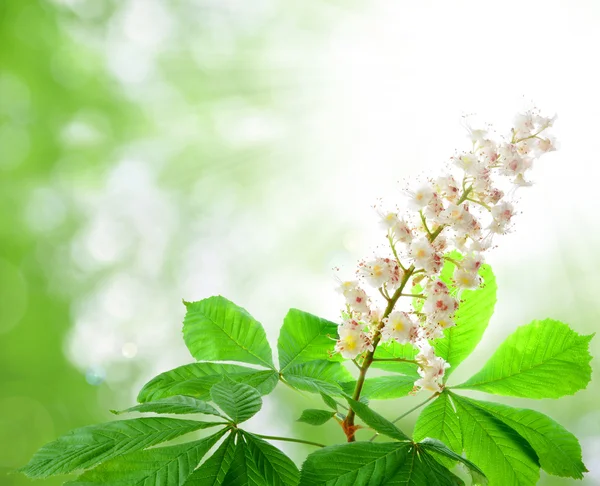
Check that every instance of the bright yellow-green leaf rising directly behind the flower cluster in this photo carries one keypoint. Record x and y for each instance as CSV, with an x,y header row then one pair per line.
x,y
471,318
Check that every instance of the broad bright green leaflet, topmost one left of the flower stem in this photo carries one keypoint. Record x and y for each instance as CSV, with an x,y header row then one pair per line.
x,y
215,329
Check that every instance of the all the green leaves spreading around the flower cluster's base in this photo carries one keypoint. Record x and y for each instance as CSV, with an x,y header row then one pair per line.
x,y
505,444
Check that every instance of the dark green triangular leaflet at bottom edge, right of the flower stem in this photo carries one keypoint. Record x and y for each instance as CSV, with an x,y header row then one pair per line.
x,y
421,469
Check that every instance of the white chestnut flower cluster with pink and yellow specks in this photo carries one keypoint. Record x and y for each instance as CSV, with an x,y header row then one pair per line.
x,y
462,210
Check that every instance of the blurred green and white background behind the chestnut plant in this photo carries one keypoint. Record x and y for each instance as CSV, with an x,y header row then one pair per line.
x,y
153,150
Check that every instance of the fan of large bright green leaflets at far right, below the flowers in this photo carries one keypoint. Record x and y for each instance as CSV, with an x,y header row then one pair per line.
x,y
541,359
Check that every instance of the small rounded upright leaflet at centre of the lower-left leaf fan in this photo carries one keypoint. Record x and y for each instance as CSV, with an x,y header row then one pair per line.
x,y
238,400
